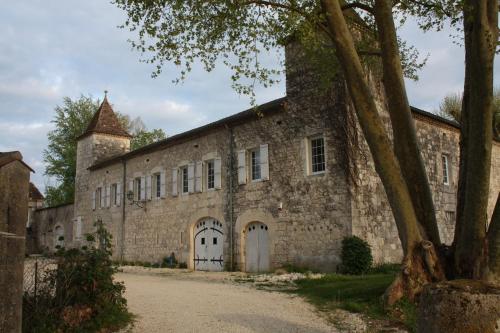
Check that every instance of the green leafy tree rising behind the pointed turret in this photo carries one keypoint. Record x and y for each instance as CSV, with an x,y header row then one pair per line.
x,y
71,120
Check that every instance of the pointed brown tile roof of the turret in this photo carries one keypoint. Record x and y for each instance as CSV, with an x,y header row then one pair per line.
x,y
105,121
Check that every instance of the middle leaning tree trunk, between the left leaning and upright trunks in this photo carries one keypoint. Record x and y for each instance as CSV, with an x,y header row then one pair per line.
x,y
403,125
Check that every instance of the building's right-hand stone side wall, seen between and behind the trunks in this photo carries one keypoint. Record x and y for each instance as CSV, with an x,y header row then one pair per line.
x,y
373,218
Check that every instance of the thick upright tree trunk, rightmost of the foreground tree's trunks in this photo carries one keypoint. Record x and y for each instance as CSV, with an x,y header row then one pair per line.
x,y
480,32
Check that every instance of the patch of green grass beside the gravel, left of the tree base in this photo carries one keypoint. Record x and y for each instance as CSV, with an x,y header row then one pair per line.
x,y
361,294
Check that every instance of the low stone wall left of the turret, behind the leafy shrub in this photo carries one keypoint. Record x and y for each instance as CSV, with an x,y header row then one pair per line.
x,y
51,223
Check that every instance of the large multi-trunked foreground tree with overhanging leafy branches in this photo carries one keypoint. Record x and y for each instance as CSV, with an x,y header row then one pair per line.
x,y
346,35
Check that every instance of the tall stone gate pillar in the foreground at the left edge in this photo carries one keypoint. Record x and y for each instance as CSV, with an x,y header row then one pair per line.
x,y
14,187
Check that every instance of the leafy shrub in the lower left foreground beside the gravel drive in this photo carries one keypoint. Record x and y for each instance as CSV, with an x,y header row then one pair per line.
x,y
80,295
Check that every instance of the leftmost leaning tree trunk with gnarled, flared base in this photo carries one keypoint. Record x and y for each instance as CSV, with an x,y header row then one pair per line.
x,y
417,261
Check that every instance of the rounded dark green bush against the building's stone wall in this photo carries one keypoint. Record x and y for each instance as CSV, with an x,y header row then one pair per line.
x,y
356,256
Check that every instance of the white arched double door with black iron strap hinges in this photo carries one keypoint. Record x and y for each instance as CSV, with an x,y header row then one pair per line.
x,y
208,245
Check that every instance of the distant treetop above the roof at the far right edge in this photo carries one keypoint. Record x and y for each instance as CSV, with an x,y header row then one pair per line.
x,y
451,107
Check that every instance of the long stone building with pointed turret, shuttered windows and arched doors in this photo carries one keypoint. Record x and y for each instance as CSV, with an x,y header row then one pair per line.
x,y
256,190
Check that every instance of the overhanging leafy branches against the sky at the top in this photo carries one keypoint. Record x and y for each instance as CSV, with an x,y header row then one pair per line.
x,y
238,34
